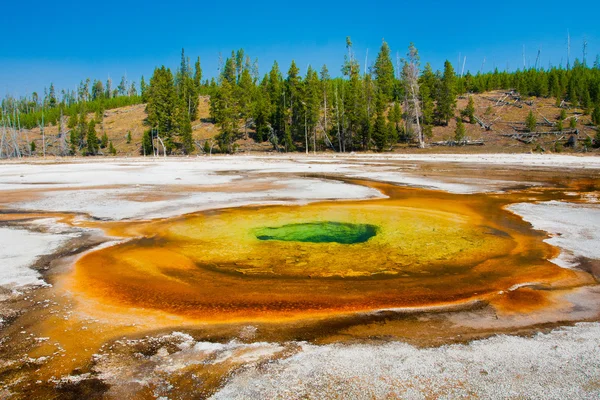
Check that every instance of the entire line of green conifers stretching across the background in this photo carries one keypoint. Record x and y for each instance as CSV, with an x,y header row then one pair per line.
x,y
361,108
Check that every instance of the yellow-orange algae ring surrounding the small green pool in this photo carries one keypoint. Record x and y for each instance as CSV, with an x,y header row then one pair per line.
x,y
430,249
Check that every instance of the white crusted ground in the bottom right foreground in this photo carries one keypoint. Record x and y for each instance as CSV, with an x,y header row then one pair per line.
x,y
564,363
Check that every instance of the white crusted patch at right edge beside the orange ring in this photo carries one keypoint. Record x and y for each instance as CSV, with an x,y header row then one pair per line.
x,y
573,227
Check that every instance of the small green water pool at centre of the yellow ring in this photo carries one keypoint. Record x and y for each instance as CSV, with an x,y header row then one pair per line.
x,y
319,232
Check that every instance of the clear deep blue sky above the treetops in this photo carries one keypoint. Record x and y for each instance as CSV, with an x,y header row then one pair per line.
x,y
65,42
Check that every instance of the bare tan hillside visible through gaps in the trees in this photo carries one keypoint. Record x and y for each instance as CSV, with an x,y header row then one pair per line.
x,y
503,116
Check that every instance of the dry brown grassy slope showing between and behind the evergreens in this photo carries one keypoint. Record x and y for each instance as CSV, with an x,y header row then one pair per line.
x,y
119,121
